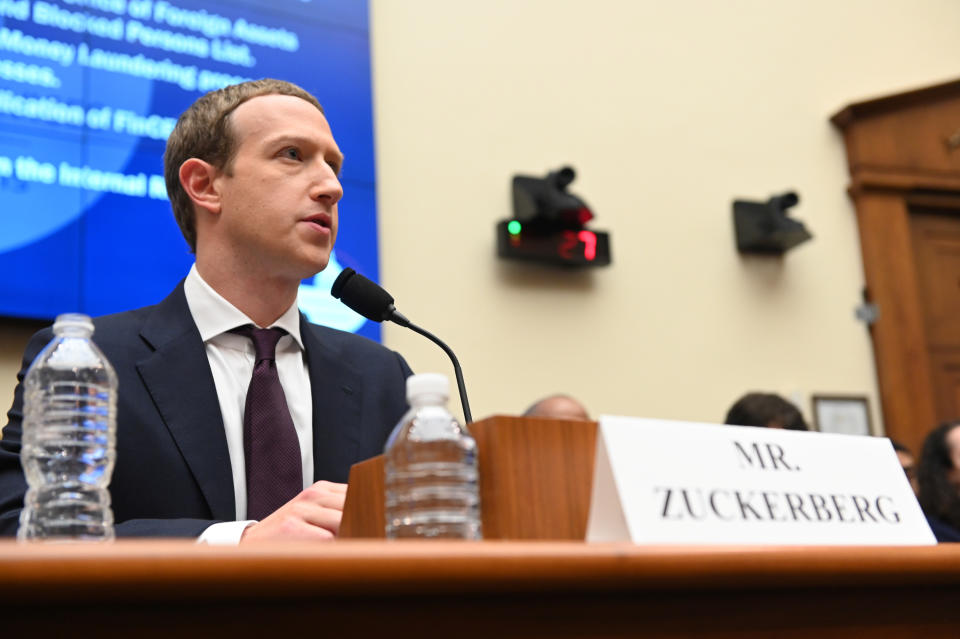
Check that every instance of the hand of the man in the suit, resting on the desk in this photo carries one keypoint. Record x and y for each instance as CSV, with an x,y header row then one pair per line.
x,y
314,514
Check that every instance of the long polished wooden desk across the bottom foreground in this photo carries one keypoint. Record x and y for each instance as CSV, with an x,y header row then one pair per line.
x,y
477,589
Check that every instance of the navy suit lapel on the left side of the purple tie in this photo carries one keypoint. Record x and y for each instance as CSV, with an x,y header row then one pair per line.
x,y
177,375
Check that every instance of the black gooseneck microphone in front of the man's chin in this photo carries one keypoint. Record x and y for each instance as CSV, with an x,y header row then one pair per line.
x,y
370,300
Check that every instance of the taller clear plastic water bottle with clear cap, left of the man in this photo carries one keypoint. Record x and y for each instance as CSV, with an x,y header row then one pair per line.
x,y
69,434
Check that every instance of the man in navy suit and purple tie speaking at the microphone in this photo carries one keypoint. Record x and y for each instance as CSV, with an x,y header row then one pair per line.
x,y
251,172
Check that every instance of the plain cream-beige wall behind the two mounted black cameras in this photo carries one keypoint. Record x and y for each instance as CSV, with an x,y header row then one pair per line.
x,y
668,111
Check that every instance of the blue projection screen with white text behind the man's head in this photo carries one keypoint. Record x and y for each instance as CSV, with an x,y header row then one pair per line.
x,y
89,92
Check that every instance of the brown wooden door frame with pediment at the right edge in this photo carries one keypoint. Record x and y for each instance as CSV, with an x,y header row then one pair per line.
x,y
903,154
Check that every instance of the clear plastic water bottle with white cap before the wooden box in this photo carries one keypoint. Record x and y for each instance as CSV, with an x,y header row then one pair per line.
x,y
431,468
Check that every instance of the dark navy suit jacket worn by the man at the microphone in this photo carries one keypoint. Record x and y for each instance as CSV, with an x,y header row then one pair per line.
x,y
172,476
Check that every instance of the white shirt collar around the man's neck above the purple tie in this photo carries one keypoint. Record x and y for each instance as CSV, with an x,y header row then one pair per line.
x,y
214,315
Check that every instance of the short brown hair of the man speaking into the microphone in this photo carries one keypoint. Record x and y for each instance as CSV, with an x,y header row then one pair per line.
x,y
203,131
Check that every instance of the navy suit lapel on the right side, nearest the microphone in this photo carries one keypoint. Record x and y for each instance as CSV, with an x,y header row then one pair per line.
x,y
337,400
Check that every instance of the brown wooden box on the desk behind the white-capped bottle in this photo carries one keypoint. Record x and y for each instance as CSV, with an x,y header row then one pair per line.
x,y
535,481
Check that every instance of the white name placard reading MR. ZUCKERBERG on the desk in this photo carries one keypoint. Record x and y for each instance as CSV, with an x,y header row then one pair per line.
x,y
667,482
